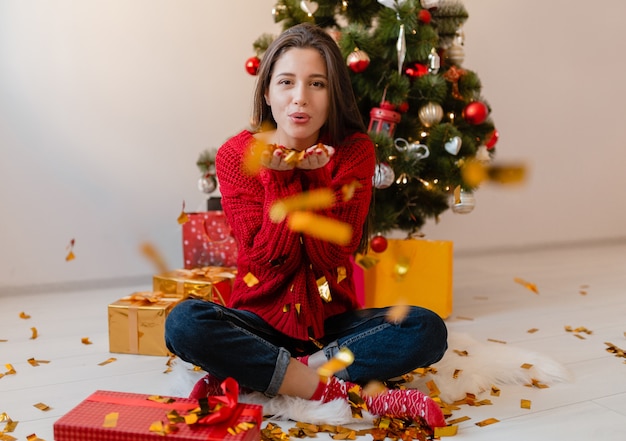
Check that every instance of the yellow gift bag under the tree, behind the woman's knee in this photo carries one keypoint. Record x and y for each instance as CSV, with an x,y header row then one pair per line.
x,y
410,272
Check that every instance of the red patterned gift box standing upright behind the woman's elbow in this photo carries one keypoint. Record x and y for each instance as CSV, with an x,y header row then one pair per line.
x,y
207,240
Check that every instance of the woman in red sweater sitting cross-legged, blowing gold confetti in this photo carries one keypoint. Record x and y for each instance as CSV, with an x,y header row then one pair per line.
x,y
277,329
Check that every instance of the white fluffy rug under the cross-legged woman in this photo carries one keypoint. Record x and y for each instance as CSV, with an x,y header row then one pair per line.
x,y
468,366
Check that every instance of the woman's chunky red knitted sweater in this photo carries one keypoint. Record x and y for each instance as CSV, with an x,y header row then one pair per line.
x,y
286,263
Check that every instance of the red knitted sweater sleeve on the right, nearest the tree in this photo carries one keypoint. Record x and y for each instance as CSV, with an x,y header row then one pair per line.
x,y
354,160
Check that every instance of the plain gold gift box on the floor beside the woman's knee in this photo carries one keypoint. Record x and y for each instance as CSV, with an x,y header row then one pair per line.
x,y
137,323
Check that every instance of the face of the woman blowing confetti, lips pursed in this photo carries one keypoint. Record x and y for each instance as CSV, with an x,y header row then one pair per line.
x,y
298,97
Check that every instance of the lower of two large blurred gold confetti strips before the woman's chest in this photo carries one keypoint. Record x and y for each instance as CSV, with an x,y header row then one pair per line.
x,y
320,227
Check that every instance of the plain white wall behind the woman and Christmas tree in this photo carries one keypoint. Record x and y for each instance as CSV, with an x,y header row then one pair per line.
x,y
106,105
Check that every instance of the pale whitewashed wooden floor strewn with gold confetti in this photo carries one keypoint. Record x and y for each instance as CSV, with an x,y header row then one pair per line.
x,y
582,286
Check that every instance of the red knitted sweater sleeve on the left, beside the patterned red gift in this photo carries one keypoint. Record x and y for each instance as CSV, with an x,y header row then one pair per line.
x,y
262,244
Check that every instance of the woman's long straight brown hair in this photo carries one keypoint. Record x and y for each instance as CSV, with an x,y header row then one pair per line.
x,y
344,117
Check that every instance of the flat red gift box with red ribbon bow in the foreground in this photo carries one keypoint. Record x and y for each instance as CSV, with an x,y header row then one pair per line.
x,y
133,415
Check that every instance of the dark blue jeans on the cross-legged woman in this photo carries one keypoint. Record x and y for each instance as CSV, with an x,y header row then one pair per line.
x,y
228,342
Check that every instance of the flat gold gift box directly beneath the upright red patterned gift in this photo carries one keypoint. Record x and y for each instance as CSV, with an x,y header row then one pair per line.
x,y
212,283
